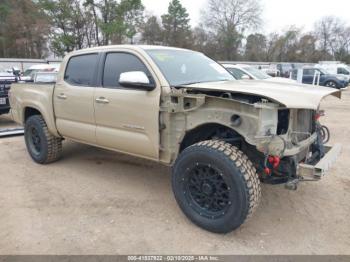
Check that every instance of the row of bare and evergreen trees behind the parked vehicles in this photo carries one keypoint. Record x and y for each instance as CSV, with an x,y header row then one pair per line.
x,y
36,28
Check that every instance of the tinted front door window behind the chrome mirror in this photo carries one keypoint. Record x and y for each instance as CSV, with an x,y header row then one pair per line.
x,y
118,63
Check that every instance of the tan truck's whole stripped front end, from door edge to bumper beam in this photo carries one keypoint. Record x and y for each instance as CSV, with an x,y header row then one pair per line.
x,y
282,140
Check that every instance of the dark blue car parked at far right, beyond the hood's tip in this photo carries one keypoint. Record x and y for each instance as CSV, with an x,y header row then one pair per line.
x,y
325,78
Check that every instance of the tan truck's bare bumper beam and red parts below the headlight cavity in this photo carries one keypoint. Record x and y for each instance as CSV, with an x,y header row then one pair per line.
x,y
307,160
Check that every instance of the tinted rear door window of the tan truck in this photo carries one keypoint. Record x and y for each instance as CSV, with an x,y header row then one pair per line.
x,y
81,69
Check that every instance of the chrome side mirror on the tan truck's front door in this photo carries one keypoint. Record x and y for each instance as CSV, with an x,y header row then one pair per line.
x,y
136,79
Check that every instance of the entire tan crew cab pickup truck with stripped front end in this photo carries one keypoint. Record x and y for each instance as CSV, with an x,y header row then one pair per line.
x,y
221,136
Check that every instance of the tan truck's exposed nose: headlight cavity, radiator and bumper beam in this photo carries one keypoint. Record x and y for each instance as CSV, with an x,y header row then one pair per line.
x,y
291,147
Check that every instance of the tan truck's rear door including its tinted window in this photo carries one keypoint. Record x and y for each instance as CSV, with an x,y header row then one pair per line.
x,y
73,99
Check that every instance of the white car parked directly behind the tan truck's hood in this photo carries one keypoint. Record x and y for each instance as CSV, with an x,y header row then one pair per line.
x,y
252,73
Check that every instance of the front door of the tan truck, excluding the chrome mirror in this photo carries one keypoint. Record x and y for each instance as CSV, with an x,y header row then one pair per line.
x,y
127,119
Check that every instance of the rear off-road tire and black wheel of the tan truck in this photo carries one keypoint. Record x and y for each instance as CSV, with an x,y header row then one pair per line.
x,y
49,145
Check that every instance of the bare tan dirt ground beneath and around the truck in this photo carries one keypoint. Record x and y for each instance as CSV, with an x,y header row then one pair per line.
x,y
99,202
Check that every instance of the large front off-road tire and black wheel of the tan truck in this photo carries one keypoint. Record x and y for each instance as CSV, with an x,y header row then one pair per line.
x,y
238,174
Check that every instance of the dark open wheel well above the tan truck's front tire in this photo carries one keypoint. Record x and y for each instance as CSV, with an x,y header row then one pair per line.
x,y
210,131
